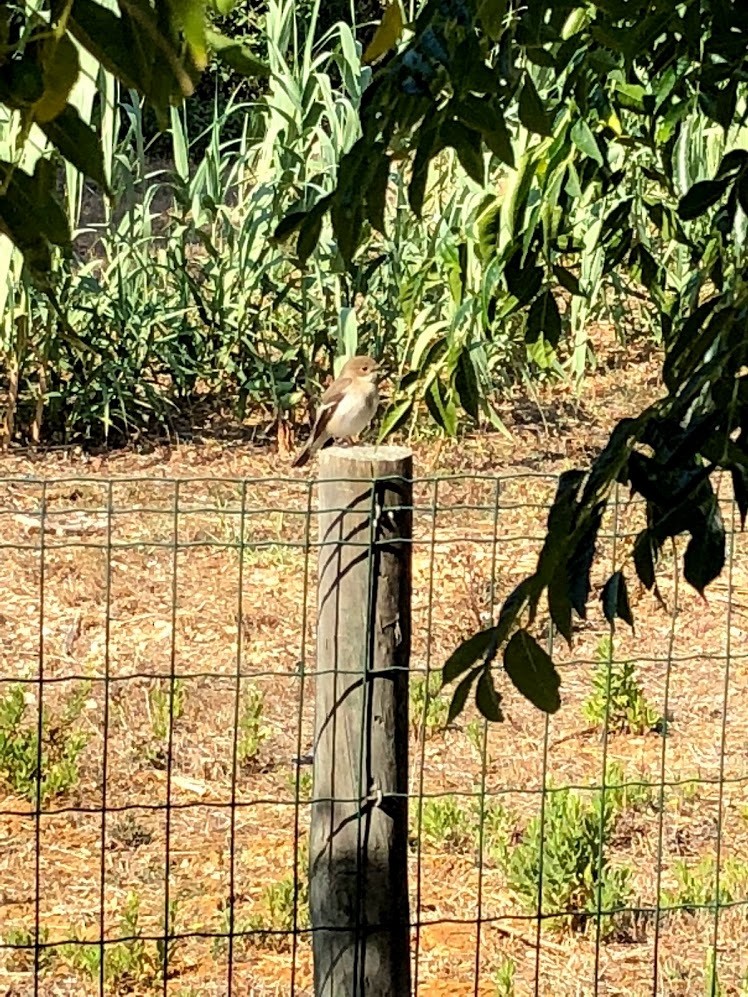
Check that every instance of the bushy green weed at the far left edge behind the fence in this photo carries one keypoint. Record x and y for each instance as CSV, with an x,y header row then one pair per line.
x,y
63,740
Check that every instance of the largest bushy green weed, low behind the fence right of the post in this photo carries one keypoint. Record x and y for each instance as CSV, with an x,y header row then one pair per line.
x,y
575,868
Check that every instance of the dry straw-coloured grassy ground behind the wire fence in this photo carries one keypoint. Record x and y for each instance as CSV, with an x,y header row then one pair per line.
x,y
116,605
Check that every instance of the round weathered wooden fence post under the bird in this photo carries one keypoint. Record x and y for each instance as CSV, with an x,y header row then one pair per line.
x,y
358,854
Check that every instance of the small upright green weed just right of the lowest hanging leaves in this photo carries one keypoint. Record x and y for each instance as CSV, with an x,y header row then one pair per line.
x,y
617,697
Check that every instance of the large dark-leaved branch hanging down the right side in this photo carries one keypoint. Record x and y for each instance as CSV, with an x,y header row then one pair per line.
x,y
585,114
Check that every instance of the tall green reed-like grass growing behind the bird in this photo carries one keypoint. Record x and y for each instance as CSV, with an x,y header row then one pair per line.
x,y
178,303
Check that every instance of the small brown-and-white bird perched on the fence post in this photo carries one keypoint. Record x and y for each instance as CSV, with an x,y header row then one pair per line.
x,y
346,407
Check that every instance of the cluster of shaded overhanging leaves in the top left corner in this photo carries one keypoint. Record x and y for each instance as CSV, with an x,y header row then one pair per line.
x,y
157,47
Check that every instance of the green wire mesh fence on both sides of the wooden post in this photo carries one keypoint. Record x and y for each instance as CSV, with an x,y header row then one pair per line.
x,y
157,719
